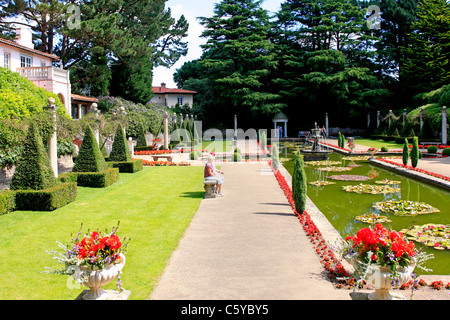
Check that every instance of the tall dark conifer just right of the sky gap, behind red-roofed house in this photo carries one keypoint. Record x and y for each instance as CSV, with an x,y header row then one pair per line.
x,y
239,56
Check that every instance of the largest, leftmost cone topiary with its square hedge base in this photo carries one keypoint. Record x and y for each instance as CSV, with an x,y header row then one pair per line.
x,y
34,183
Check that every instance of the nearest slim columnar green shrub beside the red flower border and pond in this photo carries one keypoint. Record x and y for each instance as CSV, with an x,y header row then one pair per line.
x,y
299,183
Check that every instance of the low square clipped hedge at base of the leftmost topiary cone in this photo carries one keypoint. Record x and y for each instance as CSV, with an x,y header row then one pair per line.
x,y
46,200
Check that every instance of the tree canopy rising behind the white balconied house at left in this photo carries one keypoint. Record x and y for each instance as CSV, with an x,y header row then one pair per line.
x,y
110,35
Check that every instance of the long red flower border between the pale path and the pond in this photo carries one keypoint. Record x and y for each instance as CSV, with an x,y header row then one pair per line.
x,y
336,271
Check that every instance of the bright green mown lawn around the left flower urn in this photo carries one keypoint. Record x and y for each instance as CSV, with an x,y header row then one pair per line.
x,y
154,207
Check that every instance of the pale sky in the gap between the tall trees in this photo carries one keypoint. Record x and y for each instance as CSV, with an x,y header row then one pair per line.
x,y
191,10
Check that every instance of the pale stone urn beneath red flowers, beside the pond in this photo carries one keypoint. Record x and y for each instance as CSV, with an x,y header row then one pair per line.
x,y
381,279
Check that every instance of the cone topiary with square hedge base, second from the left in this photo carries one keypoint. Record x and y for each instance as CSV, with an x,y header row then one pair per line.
x,y
90,166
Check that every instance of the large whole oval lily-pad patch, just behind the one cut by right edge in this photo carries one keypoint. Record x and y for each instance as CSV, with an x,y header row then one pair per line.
x,y
405,207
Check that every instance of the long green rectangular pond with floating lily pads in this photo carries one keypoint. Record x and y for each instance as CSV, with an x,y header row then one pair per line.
x,y
369,192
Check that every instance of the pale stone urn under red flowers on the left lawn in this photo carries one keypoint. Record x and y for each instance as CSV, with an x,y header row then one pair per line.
x,y
99,278
